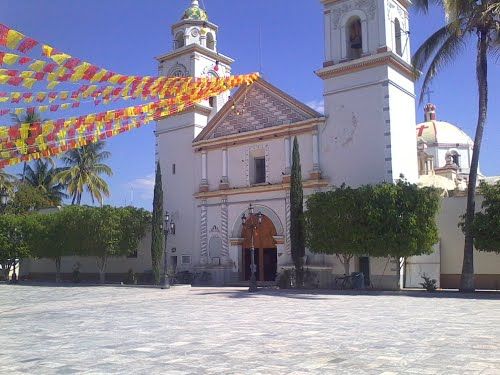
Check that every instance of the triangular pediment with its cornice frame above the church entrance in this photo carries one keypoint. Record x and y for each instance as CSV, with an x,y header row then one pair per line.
x,y
256,107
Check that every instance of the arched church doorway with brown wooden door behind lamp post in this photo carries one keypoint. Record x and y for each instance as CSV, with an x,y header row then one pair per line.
x,y
266,254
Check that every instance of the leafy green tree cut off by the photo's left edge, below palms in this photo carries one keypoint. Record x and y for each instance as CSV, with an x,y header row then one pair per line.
x,y
13,244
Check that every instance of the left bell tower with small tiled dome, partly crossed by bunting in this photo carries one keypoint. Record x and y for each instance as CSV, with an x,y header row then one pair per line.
x,y
194,54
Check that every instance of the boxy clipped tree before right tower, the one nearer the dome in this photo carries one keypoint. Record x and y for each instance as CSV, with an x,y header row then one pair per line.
x,y
402,220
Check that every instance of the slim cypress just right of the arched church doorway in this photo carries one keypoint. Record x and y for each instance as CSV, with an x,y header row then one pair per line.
x,y
296,215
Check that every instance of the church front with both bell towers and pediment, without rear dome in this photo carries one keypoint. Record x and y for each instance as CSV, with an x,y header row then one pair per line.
x,y
224,154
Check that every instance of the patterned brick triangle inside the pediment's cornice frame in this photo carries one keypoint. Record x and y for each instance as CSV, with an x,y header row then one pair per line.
x,y
257,109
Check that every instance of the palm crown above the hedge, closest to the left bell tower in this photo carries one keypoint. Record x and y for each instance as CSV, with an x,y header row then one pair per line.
x,y
83,169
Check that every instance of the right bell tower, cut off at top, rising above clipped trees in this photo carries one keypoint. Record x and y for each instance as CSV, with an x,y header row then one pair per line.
x,y
368,92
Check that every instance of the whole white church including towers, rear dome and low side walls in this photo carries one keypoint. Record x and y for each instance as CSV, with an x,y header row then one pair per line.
x,y
224,155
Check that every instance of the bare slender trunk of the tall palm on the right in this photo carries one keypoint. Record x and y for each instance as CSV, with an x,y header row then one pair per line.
x,y
467,279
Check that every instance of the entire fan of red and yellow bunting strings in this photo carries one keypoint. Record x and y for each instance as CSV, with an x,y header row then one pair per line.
x,y
29,141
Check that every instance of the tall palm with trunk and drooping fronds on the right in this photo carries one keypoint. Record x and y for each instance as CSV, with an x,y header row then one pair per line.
x,y
466,20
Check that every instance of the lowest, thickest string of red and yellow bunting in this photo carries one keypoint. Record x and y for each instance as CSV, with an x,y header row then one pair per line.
x,y
27,142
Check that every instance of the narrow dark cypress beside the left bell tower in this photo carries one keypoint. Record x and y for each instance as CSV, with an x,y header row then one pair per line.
x,y
157,236
